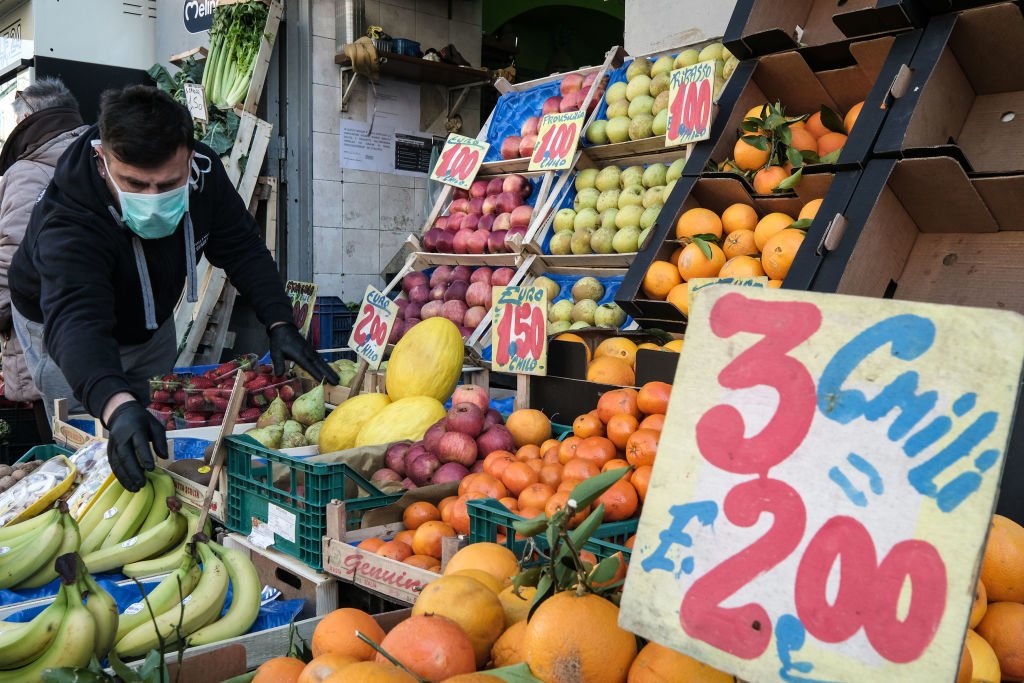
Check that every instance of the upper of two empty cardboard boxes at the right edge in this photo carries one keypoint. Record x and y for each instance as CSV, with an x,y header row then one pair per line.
x,y
966,97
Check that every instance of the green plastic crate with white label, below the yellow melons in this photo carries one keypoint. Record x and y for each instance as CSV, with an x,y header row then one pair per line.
x,y
306,491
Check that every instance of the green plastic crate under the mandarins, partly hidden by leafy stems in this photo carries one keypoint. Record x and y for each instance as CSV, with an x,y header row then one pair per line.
x,y
487,515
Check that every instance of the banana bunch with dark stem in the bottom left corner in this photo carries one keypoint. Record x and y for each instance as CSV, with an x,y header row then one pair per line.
x,y
81,623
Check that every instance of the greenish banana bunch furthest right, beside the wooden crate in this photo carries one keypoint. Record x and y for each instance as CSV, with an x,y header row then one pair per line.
x,y
189,604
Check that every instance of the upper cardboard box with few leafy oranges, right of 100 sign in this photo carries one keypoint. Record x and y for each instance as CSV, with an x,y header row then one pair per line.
x,y
861,71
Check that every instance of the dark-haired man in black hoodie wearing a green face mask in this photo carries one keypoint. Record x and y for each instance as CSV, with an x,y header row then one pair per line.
x,y
134,205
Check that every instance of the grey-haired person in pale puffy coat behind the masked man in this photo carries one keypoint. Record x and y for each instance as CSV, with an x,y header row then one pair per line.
x,y
49,121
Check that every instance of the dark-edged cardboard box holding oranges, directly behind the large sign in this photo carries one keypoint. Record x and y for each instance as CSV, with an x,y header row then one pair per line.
x,y
717,194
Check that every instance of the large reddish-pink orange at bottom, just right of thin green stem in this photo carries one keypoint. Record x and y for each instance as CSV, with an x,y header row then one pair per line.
x,y
433,647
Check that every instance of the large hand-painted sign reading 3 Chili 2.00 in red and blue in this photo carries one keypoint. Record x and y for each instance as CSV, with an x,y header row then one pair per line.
x,y
825,486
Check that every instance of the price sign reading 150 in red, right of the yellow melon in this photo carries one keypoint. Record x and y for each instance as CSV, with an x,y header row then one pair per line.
x,y
519,330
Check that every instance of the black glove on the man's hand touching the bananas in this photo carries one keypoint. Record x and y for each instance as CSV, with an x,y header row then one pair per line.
x,y
133,431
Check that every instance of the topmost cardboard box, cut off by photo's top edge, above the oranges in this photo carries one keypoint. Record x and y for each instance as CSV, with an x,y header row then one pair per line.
x,y
761,27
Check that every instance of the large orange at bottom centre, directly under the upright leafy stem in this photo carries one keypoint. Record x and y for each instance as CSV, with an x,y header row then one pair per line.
x,y
558,650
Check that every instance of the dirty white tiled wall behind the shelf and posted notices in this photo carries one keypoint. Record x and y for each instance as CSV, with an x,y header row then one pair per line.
x,y
361,220
